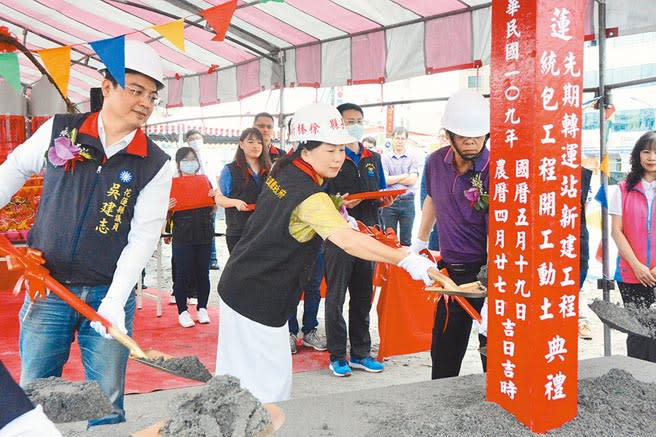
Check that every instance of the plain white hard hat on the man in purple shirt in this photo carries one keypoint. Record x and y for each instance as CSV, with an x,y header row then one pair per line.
x,y
467,114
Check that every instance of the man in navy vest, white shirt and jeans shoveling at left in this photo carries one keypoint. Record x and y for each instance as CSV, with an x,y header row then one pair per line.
x,y
105,196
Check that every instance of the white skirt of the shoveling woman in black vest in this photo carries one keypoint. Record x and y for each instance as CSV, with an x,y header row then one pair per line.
x,y
257,354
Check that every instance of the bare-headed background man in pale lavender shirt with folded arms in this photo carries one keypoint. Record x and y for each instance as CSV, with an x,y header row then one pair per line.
x,y
401,172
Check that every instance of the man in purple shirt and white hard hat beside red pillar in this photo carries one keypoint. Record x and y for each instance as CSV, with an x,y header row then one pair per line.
x,y
462,223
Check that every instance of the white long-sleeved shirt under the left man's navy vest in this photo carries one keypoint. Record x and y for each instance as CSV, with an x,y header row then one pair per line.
x,y
149,210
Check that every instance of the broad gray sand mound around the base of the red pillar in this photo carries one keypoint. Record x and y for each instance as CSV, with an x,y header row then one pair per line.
x,y
611,405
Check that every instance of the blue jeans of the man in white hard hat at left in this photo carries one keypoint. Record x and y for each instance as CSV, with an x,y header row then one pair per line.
x,y
47,331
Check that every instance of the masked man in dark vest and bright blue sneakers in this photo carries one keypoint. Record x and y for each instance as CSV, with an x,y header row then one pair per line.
x,y
361,171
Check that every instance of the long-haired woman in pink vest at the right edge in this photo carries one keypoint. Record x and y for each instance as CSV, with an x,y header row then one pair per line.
x,y
632,212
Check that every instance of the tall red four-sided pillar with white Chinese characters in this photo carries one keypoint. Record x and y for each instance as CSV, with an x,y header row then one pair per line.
x,y
536,89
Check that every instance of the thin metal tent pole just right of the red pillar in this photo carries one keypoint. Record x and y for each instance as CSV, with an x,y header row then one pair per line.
x,y
605,283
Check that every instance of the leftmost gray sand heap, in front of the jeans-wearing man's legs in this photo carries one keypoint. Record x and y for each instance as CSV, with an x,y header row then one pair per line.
x,y
67,401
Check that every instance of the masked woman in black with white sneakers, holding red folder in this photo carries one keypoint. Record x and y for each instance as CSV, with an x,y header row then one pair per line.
x,y
192,235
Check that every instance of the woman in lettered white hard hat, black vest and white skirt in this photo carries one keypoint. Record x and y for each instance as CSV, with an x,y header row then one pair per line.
x,y
262,280
